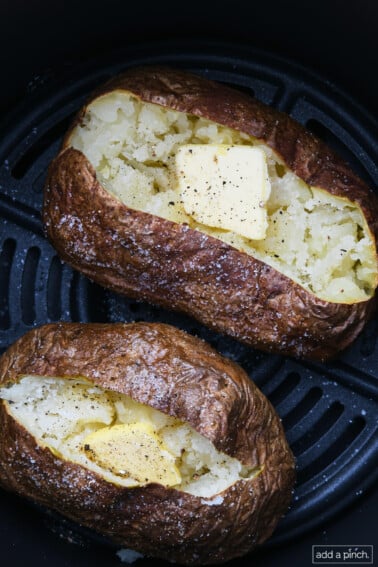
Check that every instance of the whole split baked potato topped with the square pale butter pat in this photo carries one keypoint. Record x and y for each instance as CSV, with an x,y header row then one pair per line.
x,y
142,199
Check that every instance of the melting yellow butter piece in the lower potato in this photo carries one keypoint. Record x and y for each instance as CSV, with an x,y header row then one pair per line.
x,y
133,450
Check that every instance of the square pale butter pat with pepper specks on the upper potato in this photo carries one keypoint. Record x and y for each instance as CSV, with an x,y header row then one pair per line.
x,y
225,187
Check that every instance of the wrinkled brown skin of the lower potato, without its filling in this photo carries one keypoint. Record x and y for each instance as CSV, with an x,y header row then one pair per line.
x,y
184,377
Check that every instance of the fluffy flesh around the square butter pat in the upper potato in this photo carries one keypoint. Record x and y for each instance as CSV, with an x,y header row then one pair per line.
x,y
320,241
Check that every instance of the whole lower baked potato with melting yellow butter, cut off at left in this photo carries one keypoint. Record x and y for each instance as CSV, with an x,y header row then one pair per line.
x,y
146,435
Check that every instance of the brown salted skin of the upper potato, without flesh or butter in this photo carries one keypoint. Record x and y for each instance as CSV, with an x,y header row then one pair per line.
x,y
149,258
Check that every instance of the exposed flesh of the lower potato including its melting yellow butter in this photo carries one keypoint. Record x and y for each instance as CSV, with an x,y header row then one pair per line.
x,y
126,442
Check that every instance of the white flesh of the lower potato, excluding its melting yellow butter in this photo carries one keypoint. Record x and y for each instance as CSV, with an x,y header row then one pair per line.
x,y
60,414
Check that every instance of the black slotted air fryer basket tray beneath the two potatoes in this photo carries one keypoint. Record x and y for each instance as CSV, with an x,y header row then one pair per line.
x,y
328,411
